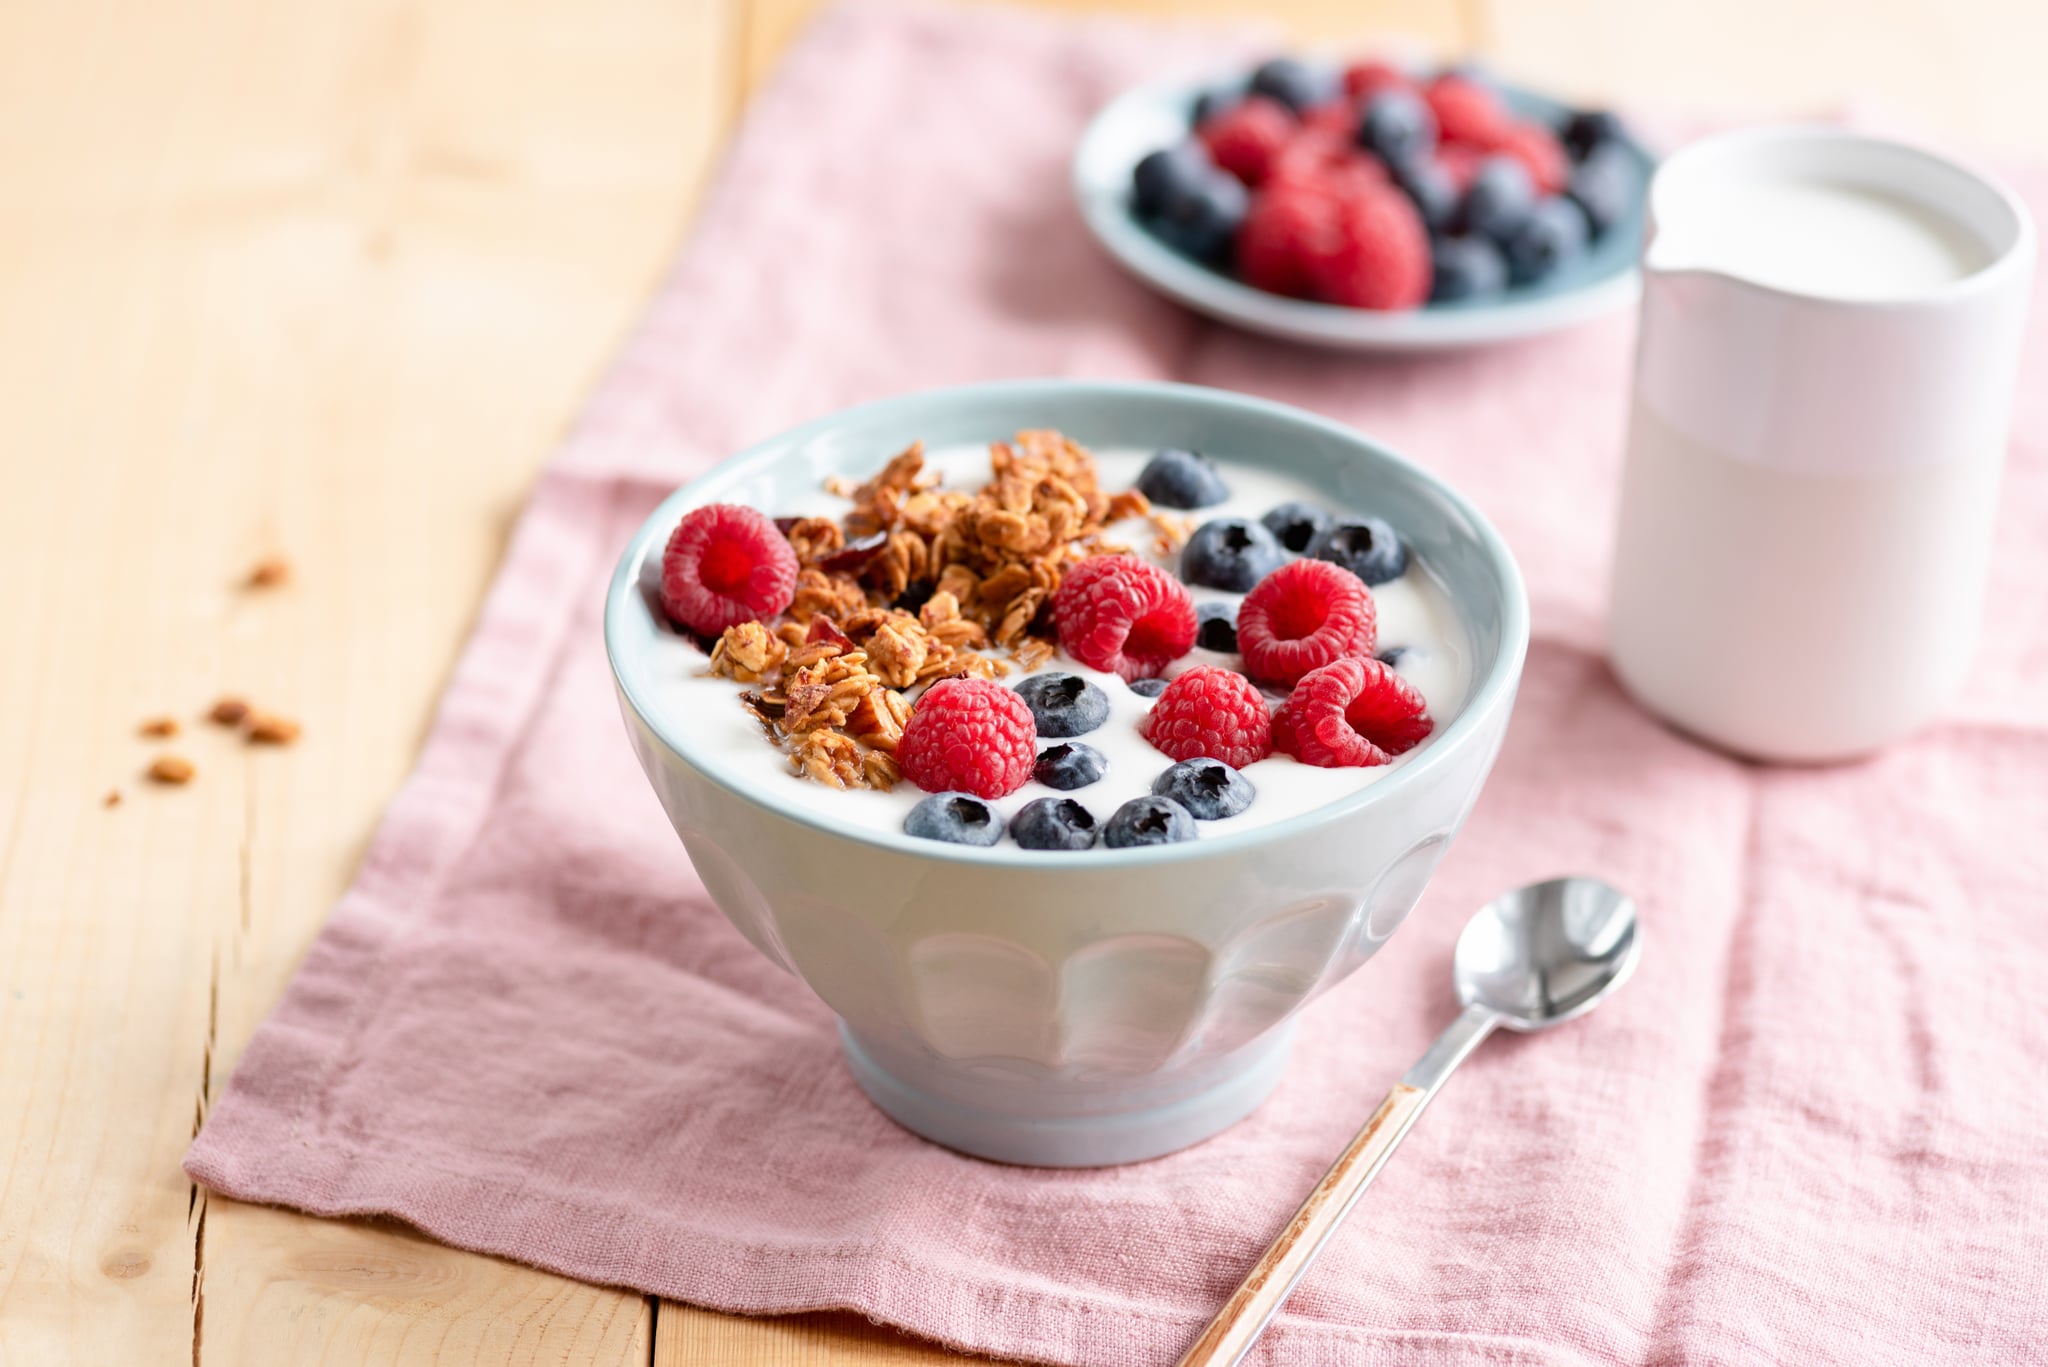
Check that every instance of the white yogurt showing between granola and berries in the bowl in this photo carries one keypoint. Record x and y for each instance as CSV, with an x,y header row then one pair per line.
x,y
1414,612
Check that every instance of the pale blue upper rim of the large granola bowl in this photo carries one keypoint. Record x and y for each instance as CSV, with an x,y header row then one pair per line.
x,y
1492,692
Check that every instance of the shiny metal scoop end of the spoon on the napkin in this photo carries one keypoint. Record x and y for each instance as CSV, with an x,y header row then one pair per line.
x,y
1541,956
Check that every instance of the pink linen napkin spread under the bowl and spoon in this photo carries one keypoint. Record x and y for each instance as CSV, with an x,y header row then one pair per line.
x,y
1809,1132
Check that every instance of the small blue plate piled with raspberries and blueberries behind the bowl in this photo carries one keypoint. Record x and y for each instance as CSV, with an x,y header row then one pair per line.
x,y
1369,206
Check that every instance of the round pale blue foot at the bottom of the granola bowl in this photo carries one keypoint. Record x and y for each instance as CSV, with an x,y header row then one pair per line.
x,y
1052,1124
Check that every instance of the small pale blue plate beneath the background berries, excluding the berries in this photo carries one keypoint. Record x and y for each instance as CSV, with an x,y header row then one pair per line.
x,y
1160,116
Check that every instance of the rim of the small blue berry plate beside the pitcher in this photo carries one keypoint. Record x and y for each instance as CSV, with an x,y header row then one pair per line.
x,y
1306,321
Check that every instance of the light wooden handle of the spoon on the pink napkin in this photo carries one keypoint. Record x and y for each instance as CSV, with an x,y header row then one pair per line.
x,y
1267,1286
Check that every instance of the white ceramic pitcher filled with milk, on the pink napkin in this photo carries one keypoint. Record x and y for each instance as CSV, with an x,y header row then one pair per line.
x,y
1816,440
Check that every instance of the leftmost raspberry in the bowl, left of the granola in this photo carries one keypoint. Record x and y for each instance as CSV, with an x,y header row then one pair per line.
x,y
726,565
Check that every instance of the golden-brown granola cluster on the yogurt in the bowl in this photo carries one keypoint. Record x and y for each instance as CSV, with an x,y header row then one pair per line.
x,y
919,583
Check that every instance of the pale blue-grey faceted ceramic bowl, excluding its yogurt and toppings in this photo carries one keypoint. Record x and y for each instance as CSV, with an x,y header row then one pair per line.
x,y
1091,1007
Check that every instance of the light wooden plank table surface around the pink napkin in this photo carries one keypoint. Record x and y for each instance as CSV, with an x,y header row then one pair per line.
x,y
327,280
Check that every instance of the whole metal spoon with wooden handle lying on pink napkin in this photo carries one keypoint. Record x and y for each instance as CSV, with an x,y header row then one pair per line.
x,y
1529,960
